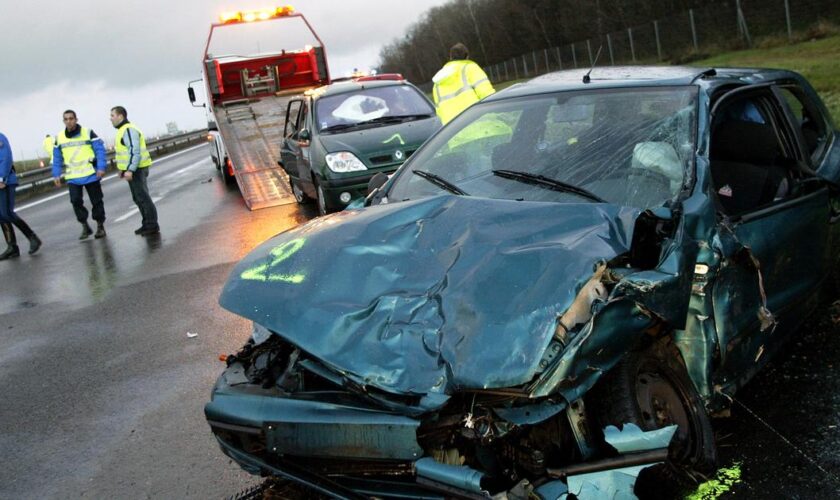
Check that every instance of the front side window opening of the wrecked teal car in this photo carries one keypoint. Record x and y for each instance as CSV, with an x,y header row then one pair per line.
x,y
751,167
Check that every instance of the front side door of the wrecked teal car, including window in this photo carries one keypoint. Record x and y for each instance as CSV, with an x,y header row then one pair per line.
x,y
773,229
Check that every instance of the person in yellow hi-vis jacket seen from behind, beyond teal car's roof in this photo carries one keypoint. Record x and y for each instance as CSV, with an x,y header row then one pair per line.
x,y
459,84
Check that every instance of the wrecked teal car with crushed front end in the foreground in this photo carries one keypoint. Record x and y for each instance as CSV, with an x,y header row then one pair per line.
x,y
562,258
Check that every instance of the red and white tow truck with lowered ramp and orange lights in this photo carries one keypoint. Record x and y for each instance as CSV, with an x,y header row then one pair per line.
x,y
251,69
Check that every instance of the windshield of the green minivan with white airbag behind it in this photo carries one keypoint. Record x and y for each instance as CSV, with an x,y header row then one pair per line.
x,y
389,104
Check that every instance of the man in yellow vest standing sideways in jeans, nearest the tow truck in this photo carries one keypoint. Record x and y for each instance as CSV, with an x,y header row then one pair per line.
x,y
133,161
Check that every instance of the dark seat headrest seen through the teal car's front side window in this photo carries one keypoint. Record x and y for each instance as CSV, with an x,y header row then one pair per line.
x,y
745,142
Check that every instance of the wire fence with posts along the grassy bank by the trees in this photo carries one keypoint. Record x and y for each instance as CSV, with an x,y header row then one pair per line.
x,y
684,37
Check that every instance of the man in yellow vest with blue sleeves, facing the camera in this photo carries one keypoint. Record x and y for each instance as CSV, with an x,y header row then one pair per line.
x,y
80,155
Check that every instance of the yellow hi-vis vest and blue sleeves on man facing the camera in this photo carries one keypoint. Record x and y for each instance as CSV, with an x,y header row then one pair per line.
x,y
79,153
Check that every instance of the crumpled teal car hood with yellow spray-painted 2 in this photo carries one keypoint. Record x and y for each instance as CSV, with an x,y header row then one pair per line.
x,y
430,295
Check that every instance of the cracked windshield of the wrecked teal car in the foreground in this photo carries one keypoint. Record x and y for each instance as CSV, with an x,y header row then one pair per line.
x,y
630,147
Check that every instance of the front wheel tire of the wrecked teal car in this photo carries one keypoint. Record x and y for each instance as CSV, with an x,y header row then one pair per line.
x,y
651,388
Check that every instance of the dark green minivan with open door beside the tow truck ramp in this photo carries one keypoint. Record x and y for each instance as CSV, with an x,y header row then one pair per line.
x,y
339,136
